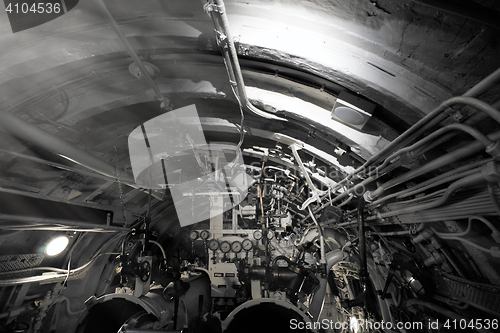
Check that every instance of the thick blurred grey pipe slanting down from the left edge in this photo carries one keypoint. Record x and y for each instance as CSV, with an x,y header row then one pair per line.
x,y
30,133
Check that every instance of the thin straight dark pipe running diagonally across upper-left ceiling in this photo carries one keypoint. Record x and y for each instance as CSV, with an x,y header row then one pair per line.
x,y
104,10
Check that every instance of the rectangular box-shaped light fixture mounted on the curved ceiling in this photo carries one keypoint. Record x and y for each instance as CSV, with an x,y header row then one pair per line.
x,y
352,110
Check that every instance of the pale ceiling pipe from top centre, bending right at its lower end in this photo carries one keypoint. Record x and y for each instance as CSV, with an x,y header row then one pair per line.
x,y
231,57
